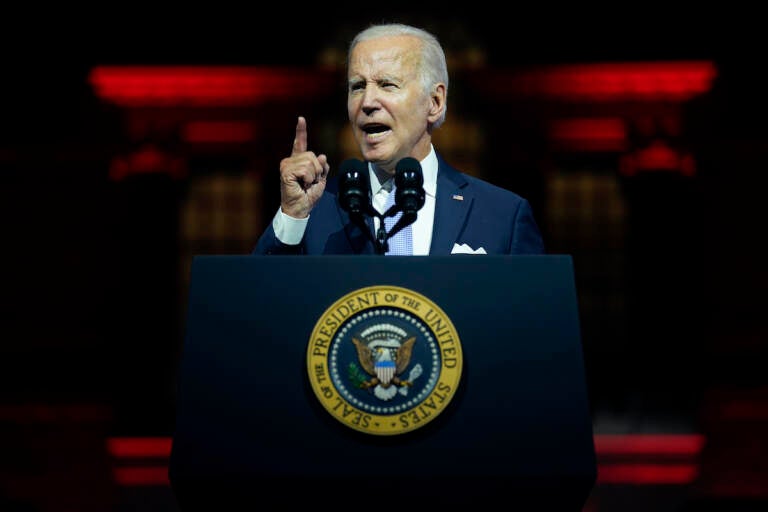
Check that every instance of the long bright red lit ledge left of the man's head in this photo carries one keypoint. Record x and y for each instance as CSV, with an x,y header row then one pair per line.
x,y
217,86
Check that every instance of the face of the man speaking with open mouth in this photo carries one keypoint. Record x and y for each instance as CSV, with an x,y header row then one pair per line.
x,y
387,107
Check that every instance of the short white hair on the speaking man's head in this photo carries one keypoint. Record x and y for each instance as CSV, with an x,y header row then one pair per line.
x,y
433,66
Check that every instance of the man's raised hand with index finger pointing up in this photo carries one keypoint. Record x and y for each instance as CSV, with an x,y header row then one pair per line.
x,y
302,176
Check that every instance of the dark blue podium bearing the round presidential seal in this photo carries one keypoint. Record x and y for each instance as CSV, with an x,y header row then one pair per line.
x,y
382,382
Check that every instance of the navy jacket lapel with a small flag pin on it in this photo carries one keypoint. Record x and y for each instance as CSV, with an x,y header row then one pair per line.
x,y
453,199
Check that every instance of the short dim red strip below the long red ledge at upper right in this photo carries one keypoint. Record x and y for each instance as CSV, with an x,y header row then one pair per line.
x,y
589,134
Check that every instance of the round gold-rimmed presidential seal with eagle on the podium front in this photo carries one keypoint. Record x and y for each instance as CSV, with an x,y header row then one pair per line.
x,y
384,360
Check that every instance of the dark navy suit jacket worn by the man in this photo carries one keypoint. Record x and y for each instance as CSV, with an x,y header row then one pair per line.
x,y
487,216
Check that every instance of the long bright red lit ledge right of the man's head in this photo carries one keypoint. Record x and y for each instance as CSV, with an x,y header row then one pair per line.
x,y
620,81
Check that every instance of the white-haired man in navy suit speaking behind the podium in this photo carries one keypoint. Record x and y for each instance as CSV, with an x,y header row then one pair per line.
x,y
397,95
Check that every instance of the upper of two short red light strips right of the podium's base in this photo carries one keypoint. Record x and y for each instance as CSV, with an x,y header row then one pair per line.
x,y
648,444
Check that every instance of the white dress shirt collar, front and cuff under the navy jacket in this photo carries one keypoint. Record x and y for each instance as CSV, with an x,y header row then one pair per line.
x,y
290,230
